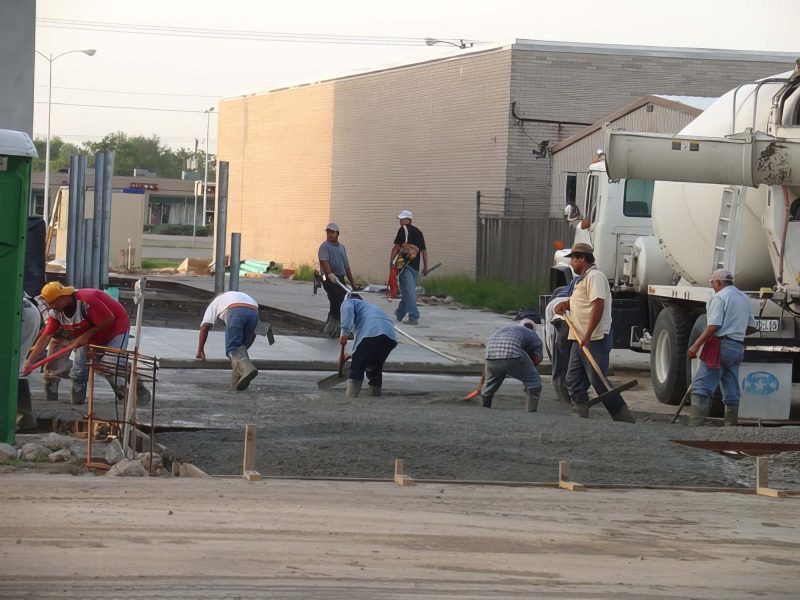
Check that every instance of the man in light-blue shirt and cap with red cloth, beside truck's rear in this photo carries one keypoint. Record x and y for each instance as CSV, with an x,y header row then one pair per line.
x,y
729,315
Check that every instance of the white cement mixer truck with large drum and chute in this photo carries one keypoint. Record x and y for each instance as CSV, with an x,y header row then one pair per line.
x,y
664,211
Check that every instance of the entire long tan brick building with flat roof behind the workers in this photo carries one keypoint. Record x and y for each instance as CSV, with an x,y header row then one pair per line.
x,y
429,136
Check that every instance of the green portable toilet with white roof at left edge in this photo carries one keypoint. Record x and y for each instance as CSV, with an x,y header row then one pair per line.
x,y
16,155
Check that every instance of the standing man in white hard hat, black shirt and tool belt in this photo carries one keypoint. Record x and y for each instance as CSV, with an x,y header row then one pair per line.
x,y
409,244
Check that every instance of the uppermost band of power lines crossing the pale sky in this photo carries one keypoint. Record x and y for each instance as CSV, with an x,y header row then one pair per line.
x,y
230,34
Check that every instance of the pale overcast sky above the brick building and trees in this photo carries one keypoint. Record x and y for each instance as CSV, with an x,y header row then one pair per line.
x,y
173,69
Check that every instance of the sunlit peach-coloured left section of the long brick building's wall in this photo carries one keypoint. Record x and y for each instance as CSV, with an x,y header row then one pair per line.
x,y
279,146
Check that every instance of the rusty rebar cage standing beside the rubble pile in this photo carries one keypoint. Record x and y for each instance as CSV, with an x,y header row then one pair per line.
x,y
113,362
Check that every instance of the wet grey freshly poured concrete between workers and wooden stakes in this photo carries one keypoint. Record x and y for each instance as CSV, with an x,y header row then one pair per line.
x,y
303,431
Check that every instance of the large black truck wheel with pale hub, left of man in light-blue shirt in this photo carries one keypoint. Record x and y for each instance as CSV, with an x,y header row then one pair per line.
x,y
668,362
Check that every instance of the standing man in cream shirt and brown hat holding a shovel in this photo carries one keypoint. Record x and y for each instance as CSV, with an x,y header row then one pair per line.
x,y
589,309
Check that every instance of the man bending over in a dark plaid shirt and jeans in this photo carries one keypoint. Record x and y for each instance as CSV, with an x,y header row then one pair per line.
x,y
513,350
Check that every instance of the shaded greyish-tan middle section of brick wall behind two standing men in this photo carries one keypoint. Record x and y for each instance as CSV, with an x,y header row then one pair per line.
x,y
424,138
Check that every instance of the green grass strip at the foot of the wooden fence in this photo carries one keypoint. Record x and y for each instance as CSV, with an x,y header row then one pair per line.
x,y
500,296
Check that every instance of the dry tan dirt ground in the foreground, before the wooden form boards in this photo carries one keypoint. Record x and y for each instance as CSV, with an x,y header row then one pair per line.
x,y
81,537
